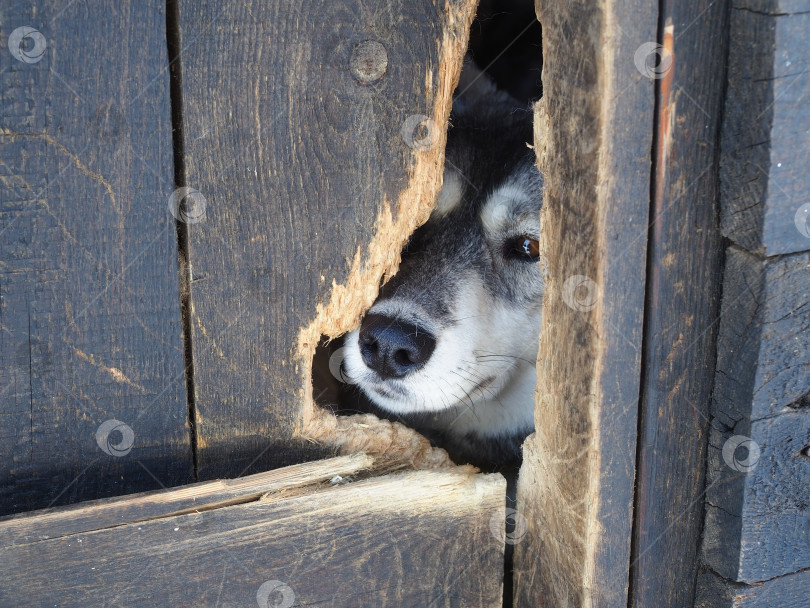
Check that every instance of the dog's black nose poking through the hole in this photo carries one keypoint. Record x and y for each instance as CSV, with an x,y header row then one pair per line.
x,y
394,348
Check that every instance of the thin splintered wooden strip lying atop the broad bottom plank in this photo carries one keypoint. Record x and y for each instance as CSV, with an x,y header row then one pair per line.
x,y
107,512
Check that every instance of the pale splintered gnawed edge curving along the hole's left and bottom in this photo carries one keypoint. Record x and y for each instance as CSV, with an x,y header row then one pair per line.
x,y
348,302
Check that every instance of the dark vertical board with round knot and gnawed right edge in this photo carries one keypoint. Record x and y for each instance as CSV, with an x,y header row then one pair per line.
x,y
299,144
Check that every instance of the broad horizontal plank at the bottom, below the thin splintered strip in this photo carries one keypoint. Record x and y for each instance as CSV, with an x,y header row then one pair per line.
x,y
411,539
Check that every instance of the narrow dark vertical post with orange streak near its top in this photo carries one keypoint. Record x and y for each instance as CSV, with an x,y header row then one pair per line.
x,y
683,301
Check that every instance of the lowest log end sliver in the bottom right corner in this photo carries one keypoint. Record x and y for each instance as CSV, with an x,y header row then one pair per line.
x,y
792,591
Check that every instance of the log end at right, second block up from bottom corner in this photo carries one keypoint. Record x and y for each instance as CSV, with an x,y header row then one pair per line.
x,y
758,498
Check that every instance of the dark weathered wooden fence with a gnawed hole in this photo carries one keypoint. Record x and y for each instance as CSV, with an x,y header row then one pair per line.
x,y
194,194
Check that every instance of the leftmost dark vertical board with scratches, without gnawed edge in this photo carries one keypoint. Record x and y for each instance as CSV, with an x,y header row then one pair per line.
x,y
89,308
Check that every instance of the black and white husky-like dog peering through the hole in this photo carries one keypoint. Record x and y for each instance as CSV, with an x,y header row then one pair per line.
x,y
449,346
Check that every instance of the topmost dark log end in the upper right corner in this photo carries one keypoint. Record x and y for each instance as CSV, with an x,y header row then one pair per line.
x,y
764,145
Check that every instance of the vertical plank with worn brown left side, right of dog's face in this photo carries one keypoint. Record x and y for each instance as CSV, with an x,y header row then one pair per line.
x,y
593,133
